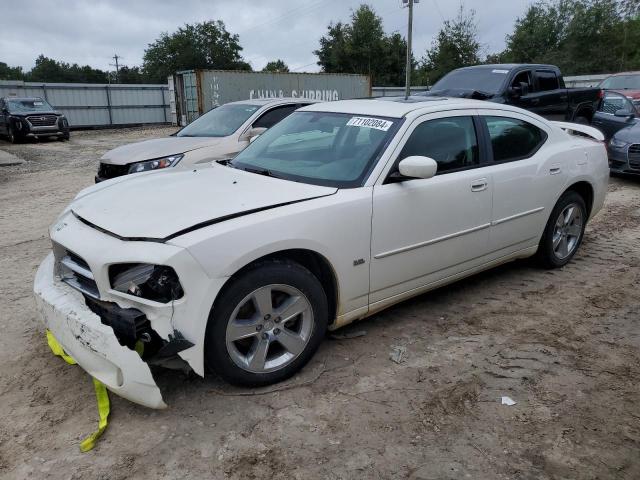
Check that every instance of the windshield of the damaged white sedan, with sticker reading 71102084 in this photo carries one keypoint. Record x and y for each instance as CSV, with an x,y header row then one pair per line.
x,y
330,149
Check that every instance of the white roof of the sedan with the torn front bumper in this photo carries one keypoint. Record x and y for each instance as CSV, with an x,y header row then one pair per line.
x,y
398,107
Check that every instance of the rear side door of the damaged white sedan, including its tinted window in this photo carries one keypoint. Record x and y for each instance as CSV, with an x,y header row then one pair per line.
x,y
526,180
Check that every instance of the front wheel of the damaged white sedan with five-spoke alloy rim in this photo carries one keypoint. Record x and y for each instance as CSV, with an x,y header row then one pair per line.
x,y
267,324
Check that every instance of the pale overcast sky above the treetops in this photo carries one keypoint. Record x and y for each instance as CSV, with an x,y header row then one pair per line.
x,y
92,31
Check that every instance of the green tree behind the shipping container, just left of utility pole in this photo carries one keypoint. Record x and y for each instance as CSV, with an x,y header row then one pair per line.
x,y
363,47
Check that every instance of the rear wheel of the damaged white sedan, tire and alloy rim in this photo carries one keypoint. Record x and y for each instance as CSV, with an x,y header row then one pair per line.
x,y
564,231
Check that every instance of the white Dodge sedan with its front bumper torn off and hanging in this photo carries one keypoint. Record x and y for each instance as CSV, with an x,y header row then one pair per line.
x,y
340,210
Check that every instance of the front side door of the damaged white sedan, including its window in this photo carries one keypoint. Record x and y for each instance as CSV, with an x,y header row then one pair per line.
x,y
425,230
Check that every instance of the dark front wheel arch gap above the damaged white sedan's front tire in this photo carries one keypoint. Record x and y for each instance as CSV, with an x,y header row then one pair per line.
x,y
313,261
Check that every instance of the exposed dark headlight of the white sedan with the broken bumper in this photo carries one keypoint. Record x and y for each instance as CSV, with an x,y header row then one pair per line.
x,y
153,282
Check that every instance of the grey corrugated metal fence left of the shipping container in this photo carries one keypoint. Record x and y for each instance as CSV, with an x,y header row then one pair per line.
x,y
89,105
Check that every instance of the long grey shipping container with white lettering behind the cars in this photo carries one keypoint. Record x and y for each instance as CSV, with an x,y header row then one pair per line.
x,y
198,91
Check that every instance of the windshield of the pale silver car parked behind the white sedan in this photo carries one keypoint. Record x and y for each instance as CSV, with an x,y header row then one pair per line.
x,y
219,122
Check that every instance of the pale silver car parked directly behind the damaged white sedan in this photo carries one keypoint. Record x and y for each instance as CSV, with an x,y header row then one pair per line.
x,y
220,133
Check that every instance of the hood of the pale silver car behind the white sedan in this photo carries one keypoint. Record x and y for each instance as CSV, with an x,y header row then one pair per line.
x,y
156,148
